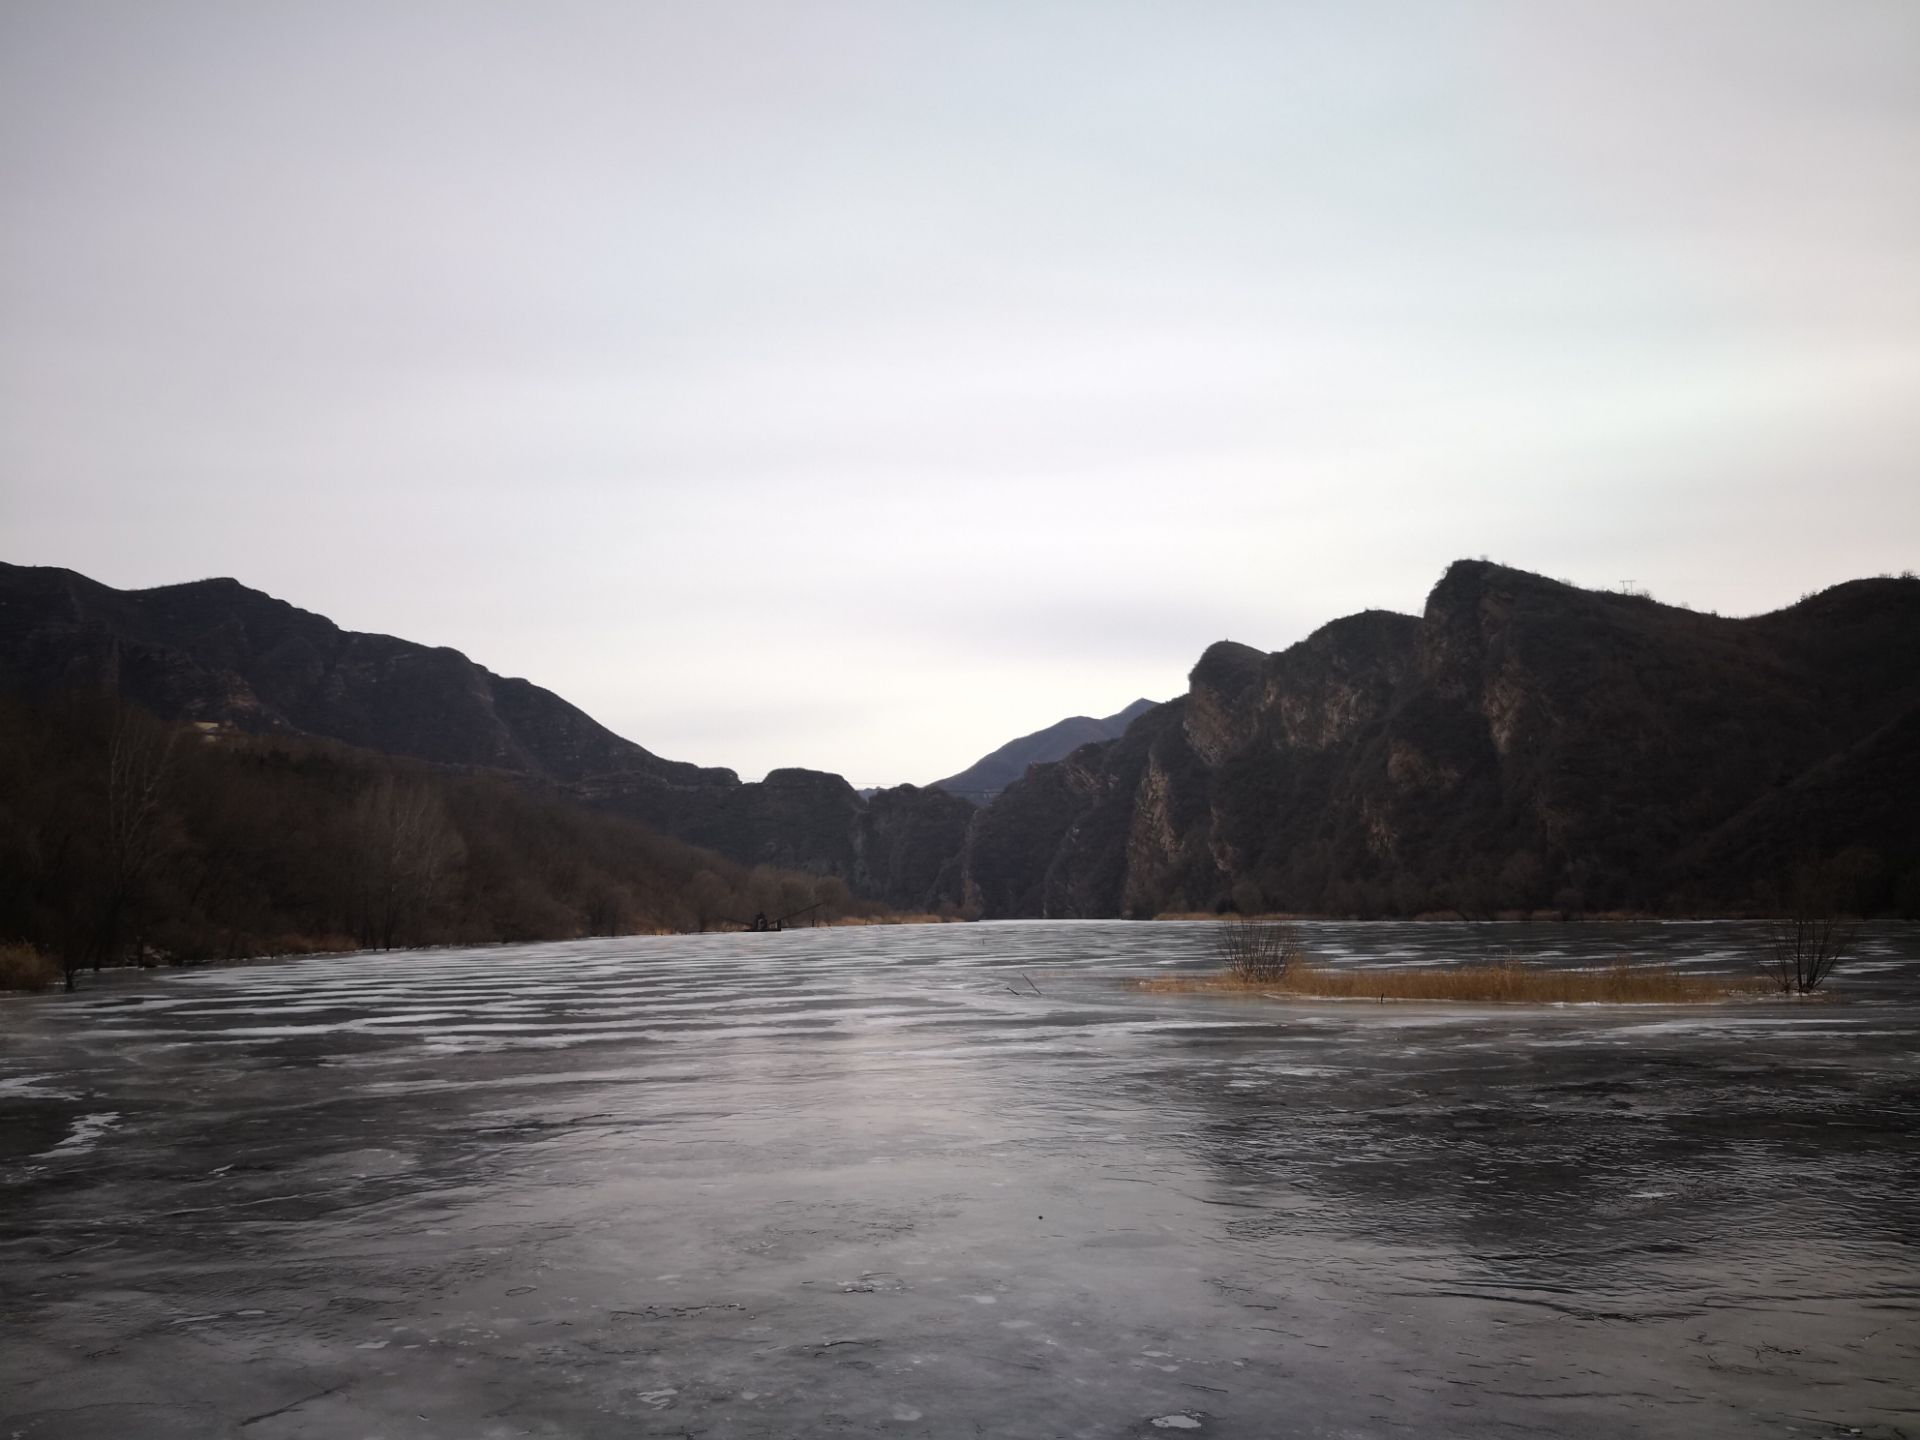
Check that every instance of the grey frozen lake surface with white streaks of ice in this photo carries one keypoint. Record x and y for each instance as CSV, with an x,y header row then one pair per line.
x,y
848,1182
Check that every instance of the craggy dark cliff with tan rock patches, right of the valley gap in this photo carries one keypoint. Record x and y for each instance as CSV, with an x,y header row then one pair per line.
x,y
1520,746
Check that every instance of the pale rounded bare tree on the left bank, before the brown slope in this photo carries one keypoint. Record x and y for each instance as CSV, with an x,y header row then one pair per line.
x,y
406,855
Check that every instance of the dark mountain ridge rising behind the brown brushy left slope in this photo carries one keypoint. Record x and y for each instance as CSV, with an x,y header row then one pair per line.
x,y
224,654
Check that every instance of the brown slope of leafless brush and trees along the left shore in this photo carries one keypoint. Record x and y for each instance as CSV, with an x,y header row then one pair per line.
x,y
120,838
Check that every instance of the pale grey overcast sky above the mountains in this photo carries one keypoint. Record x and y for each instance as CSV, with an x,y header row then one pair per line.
x,y
863,385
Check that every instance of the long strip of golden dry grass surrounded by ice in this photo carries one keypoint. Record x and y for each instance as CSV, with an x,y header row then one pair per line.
x,y
1620,984
